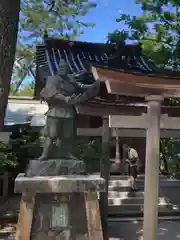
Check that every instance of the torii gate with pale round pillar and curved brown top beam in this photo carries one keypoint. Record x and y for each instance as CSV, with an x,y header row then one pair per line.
x,y
154,89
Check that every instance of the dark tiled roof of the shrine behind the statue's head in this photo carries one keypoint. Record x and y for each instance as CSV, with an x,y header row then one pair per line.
x,y
79,54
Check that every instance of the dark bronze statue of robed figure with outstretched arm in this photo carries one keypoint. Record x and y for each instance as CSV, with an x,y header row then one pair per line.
x,y
62,92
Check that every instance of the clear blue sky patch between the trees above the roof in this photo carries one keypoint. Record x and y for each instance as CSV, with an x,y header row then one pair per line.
x,y
104,16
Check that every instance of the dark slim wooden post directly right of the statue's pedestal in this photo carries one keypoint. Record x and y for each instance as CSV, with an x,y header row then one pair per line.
x,y
104,168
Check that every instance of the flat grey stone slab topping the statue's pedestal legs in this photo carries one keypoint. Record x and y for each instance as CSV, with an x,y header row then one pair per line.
x,y
58,184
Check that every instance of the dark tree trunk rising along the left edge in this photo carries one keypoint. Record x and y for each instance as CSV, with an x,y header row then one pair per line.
x,y
9,18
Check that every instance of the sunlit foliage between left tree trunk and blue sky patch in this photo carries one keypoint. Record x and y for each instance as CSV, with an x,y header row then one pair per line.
x,y
39,18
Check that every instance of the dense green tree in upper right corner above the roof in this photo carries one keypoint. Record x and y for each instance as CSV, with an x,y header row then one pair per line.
x,y
158,29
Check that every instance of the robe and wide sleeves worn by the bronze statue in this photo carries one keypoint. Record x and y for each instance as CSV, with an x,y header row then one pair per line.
x,y
61,116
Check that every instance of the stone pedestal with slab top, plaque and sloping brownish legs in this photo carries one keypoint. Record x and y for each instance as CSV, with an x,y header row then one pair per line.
x,y
59,207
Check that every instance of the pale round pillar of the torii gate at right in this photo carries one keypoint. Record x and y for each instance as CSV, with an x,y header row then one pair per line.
x,y
152,167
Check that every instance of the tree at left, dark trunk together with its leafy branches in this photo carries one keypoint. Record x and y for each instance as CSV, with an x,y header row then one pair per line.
x,y
59,18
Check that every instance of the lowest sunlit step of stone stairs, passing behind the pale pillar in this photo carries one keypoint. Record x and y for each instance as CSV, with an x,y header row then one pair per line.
x,y
117,201
